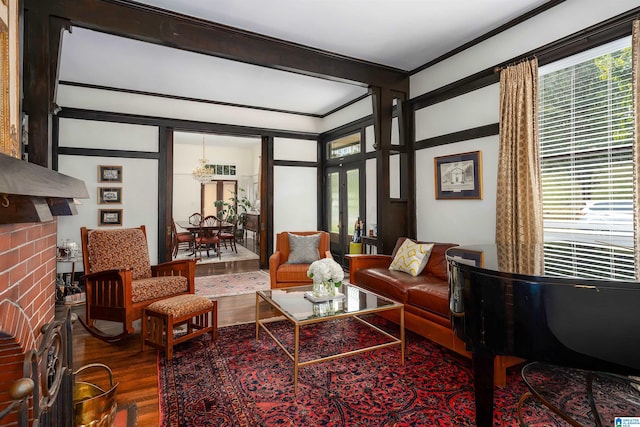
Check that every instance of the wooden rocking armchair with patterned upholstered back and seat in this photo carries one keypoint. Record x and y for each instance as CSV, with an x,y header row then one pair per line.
x,y
120,280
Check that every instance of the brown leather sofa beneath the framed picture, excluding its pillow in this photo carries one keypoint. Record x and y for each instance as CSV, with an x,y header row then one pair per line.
x,y
426,297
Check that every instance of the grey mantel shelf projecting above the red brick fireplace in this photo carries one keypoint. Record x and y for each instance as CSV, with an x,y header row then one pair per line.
x,y
32,193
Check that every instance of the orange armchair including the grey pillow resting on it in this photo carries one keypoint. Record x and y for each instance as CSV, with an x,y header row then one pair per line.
x,y
288,265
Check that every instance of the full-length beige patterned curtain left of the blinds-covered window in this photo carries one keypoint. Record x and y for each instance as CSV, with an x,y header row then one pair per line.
x,y
519,191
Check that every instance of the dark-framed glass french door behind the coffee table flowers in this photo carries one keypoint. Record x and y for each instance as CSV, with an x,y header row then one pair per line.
x,y
343,206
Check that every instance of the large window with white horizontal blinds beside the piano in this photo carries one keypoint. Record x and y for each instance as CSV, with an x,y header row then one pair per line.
x,y
586,141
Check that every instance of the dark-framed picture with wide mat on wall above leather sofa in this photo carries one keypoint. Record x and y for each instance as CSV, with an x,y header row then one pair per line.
x,y
459,176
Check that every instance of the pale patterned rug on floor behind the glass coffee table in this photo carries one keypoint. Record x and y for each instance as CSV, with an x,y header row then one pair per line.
x,y
232,284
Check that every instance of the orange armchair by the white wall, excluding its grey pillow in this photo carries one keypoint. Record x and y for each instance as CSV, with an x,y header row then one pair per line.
x,y
284,274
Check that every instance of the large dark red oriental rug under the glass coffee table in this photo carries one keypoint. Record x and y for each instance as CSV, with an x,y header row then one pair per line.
x,y
237,381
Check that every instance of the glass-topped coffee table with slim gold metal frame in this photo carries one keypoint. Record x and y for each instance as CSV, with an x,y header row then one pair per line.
x,y
292,304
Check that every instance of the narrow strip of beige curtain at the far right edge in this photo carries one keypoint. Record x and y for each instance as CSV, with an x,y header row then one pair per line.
x,y
635,46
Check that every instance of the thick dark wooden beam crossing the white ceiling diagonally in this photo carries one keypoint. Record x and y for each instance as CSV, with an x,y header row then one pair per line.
x,y
154,25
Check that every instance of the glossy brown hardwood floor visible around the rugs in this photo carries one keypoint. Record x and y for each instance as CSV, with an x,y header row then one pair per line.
x,y
136,371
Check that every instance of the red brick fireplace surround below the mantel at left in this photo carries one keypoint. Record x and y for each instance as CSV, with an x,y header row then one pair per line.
x,y
27,278
